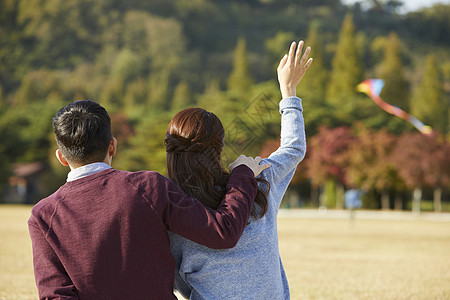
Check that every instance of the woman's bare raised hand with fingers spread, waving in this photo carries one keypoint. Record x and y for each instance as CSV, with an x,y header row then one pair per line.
x,y
292,68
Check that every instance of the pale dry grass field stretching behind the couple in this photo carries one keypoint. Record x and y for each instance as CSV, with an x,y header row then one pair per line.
x,y
323,258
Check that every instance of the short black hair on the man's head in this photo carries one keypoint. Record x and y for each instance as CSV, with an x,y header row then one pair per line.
x,y
83,132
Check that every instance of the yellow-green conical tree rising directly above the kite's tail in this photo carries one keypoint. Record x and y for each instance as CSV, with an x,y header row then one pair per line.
x,y
391,70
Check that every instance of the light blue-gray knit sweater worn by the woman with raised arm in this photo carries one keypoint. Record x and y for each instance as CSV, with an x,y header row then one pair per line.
x,y
253,268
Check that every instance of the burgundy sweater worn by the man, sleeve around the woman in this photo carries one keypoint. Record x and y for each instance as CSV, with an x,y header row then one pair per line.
x,y
104,236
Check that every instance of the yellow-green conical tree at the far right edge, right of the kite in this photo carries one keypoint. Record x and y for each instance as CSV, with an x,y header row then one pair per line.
x,y
429,103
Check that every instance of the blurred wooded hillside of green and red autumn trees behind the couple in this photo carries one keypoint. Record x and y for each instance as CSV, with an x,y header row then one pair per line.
x,y
145,60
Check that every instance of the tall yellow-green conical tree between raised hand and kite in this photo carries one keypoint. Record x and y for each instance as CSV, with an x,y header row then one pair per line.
x,y
347,65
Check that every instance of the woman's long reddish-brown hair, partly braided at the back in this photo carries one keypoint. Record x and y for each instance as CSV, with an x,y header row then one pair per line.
x,y
194,143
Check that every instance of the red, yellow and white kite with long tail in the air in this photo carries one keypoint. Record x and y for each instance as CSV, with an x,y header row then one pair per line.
x,y
373,87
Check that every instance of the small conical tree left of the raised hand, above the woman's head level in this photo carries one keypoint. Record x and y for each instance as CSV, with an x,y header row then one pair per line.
x,y
240,79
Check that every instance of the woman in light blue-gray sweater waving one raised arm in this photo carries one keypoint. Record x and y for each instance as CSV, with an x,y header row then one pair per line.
x,y
194,142
